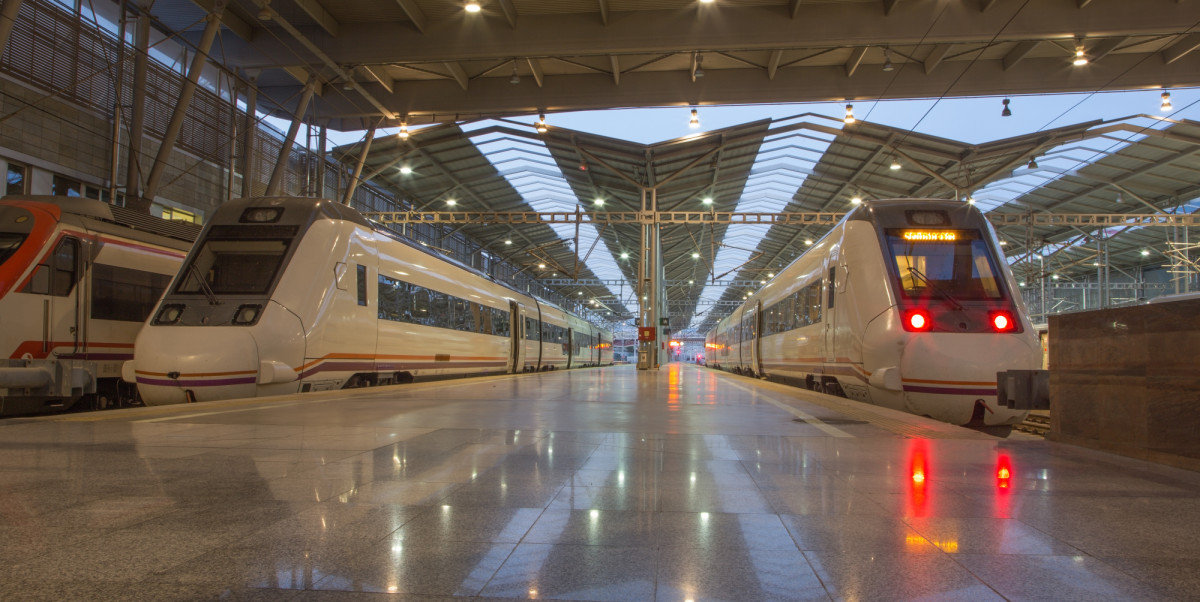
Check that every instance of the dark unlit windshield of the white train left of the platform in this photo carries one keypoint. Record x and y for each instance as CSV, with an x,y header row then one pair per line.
x,y
233,268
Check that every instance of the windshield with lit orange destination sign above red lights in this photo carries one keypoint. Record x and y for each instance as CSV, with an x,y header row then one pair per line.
x,y
940,264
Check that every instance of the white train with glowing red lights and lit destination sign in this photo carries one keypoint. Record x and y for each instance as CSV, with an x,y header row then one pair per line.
x,y
905,304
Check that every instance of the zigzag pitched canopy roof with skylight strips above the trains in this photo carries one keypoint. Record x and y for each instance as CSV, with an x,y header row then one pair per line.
x,y
805,164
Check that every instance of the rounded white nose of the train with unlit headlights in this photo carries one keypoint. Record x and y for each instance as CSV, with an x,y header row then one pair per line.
x,y
181,365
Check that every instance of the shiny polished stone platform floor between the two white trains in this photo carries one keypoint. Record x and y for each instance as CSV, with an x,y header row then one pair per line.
x,y
591,485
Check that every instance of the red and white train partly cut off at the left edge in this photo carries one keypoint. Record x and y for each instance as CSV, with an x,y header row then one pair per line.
x,y
79,278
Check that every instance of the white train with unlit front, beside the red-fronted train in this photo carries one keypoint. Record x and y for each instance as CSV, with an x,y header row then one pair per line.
x,y
285,296
